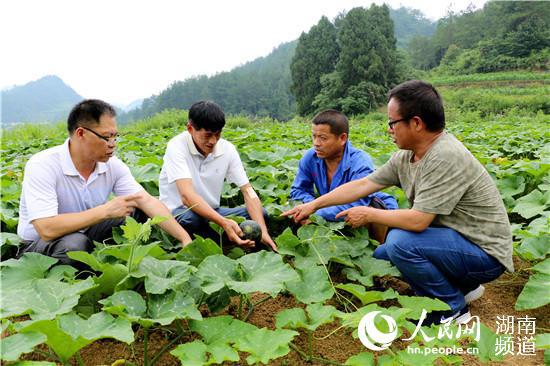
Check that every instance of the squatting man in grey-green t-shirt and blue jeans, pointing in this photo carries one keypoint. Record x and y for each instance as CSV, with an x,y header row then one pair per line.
x,y
456,235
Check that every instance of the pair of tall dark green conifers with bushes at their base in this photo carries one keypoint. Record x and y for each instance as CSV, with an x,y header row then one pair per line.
x,y
347,65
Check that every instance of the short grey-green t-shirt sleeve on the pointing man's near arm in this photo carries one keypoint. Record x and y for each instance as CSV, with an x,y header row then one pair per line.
x,y
441,186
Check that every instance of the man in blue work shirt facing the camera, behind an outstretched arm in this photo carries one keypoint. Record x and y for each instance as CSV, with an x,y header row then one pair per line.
x,y
331,162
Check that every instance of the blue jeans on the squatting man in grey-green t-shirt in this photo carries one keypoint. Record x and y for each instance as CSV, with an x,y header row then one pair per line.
x,y
439,263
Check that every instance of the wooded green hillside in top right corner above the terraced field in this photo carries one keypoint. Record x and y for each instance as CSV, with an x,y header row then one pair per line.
x,y
504,35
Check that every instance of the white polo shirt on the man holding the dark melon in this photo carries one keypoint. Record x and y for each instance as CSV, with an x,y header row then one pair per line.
x,y
182,160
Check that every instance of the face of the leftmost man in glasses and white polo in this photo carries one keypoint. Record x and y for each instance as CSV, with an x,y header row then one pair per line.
x,y
100,139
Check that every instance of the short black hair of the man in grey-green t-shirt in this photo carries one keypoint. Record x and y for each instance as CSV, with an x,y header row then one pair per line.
x,y
418,98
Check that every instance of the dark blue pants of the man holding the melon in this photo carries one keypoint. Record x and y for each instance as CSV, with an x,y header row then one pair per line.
x,y
195,224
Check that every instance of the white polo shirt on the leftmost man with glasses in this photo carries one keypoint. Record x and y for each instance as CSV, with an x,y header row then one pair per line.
x,y
53,186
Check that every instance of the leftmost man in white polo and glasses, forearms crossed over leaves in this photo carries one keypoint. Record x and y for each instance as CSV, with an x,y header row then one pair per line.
x,y
64,200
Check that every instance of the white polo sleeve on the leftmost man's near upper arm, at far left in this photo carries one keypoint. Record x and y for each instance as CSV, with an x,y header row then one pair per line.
x,y
39,190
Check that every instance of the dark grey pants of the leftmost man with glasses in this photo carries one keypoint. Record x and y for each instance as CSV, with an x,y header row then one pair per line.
x,y
78,241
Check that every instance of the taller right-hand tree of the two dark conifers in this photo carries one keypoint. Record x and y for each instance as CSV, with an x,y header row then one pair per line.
x,y
367,64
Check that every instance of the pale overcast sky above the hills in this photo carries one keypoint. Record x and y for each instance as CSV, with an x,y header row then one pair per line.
x,y
120,51
